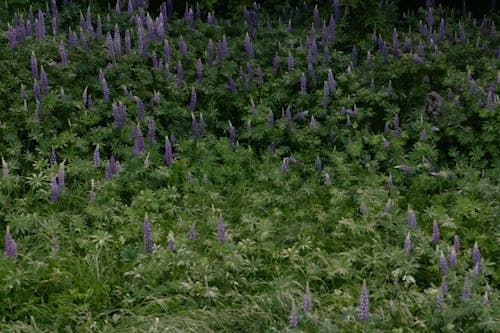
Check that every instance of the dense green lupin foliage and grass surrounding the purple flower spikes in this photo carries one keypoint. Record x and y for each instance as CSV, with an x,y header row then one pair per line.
x,y
289,223
